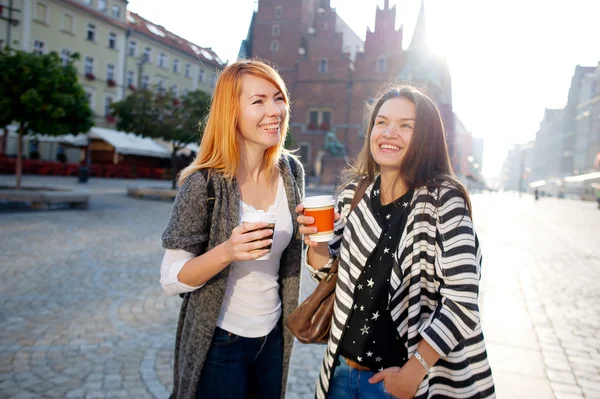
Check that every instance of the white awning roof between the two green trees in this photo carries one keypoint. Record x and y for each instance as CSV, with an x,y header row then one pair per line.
x,y
129,143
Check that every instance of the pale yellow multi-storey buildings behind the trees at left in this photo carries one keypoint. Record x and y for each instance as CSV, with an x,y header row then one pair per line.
x,y
119,50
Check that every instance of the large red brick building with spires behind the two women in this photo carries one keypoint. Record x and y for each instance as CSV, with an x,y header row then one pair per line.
x,y
332,74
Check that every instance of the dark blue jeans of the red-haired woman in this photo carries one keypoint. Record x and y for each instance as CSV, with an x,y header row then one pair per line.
x,y
239,368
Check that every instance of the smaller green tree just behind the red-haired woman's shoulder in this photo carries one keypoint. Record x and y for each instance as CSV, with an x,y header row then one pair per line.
x,y
162,115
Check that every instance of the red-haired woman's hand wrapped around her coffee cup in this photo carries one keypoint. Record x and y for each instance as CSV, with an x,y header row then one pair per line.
x,y
247,240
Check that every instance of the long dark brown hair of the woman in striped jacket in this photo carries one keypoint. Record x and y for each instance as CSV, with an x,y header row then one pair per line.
x,y
427,161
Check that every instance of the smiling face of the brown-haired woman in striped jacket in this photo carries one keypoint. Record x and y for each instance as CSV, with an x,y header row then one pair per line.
x,y
392,132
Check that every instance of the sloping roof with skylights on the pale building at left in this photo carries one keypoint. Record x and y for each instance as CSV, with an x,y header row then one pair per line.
x,y
147,28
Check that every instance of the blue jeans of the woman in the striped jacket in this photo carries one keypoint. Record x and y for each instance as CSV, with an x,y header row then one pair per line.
x,y
349,383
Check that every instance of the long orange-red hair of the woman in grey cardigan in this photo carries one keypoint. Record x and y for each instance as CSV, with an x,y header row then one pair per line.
x,y
219,148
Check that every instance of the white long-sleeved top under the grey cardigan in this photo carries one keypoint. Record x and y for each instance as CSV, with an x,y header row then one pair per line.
x,y
251,306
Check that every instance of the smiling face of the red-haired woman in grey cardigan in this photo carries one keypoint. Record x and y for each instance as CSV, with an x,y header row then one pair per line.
x,y
262,112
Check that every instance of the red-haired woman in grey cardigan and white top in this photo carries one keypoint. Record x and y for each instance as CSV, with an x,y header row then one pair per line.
x,y
230,342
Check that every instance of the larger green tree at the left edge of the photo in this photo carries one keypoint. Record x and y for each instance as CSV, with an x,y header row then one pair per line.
x,y
41,95
